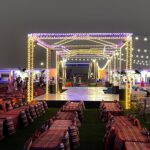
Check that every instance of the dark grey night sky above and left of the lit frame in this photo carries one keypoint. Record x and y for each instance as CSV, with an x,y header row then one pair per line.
x,y
20,17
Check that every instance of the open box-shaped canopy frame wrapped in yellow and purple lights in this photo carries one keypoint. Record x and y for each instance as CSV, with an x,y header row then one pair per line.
x,y
82,45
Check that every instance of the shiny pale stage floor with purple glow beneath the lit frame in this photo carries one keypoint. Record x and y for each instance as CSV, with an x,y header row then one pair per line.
x,y
81,93
